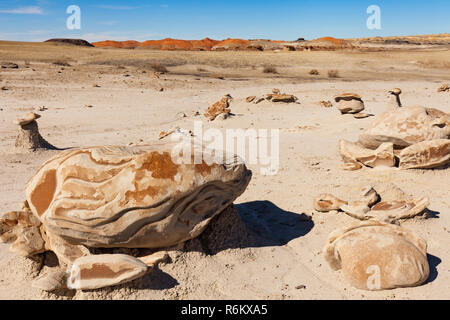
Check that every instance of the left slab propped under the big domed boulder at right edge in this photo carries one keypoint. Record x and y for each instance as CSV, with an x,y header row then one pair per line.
x,y
355,153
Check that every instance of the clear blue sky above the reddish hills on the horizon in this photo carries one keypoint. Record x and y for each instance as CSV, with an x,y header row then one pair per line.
x,y
38,20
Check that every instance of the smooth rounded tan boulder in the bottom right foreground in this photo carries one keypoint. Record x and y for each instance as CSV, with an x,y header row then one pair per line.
x,y
378,256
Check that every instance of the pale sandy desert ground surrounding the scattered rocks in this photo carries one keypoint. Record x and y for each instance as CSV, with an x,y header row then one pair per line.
x,y
284,260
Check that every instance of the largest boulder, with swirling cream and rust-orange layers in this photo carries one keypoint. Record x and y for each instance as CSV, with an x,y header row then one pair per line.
x,y
149,196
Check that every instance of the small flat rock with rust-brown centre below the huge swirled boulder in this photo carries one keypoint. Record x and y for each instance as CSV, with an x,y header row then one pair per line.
x,y
100,271
